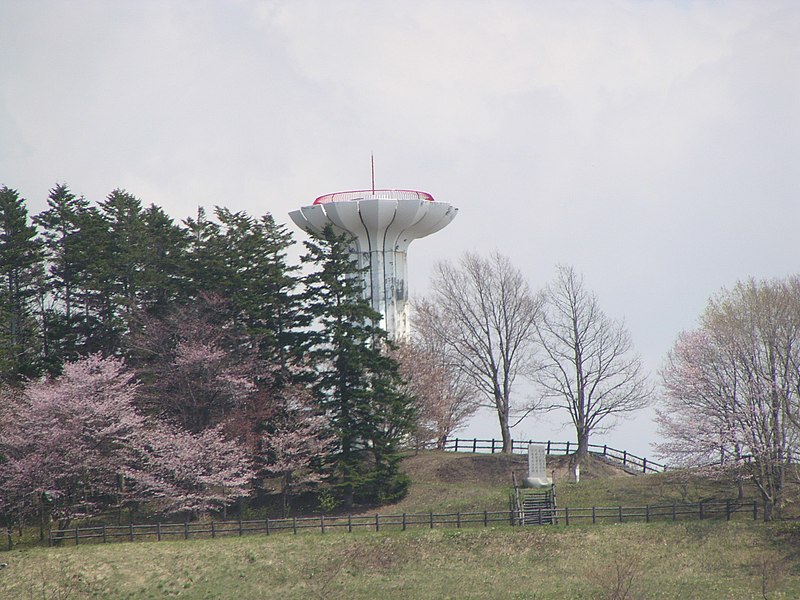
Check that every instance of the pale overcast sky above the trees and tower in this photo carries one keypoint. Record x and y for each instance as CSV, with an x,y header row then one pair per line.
x,y
653,145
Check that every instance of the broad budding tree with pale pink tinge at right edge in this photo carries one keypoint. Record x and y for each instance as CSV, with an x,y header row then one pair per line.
x,y
738,376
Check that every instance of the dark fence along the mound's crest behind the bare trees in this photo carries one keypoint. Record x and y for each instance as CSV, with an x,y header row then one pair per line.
x,y
623,457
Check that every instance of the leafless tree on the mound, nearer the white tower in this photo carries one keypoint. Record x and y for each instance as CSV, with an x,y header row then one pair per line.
x,y
483,311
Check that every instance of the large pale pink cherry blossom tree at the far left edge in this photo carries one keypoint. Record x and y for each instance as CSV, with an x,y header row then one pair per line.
x,y
68,439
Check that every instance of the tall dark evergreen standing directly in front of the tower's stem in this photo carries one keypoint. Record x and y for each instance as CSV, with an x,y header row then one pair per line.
x,y
357,386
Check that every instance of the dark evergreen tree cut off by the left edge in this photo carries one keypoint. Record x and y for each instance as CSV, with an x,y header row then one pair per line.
x,y
20,263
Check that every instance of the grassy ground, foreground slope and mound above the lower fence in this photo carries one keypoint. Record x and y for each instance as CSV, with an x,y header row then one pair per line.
x,y
702,559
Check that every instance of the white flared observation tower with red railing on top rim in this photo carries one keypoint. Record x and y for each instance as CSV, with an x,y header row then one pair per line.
x,y
382,224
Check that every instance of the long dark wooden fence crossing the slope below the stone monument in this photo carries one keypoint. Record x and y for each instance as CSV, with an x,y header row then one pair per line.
x,y
350,523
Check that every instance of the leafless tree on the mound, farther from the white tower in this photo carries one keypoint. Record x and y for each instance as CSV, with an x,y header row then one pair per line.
x,y
587,366
